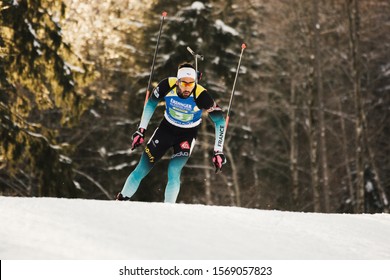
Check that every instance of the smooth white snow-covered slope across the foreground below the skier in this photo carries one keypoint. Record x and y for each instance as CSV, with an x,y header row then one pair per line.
x,y
79,229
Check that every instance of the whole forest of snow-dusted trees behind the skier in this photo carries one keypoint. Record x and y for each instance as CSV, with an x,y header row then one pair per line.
x,y
309,126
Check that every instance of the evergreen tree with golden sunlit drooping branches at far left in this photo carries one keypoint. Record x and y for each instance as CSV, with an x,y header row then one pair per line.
x,y
39,79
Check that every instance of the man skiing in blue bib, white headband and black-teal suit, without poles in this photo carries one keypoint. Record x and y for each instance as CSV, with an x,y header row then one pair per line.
x,y
184,101
